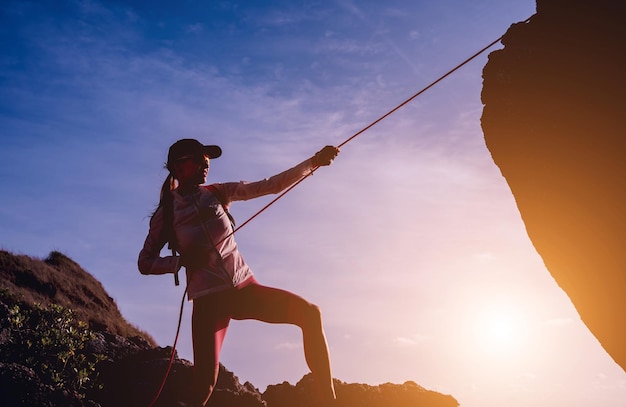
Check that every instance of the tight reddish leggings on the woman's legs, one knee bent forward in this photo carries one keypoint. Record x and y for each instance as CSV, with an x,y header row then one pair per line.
x,y
213,312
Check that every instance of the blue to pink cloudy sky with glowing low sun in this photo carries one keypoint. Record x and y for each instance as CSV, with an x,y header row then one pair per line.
x,y
410,242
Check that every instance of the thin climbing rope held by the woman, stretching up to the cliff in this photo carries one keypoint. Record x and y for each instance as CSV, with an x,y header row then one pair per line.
x,y
273,201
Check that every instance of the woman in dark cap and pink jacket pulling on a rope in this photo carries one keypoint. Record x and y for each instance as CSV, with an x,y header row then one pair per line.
x,y
194,219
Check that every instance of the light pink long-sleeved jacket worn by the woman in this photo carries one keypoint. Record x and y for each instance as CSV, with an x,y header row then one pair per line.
x,y
200,223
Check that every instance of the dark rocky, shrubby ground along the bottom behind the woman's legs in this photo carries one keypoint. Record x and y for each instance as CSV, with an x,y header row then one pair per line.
x,y
64,342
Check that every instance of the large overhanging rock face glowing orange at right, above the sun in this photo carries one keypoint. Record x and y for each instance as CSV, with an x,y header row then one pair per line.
x,y
554,121
